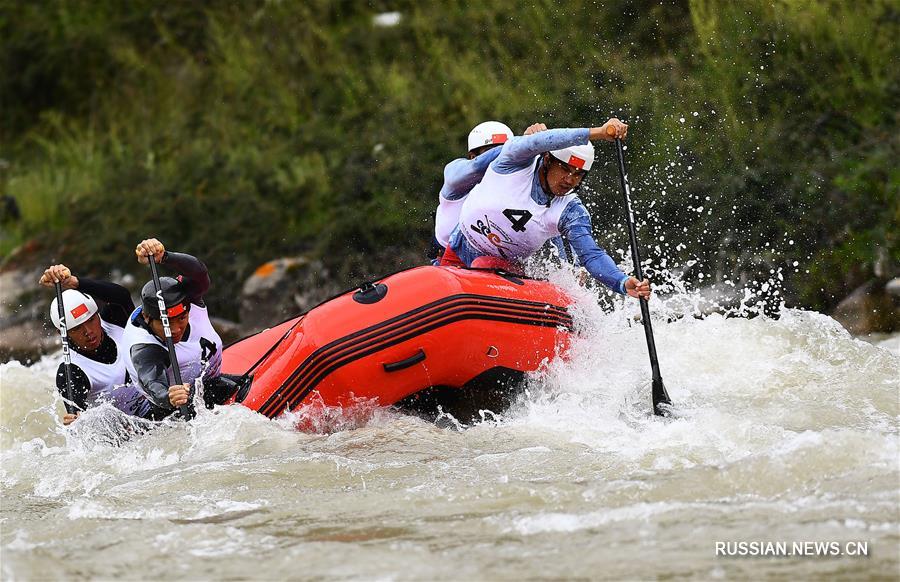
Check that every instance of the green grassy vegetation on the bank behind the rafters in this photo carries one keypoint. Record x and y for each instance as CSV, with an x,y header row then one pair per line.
x,y
242,131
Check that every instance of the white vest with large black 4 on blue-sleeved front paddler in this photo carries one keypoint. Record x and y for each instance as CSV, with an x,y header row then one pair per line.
x,y
500,219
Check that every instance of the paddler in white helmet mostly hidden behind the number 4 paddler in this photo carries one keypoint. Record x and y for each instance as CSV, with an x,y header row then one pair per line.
x,y
462,174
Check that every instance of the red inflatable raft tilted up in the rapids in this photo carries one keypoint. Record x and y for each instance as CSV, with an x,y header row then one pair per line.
x,y
428,336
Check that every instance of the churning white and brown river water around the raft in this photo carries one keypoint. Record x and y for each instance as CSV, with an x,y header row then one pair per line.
x,y
786,431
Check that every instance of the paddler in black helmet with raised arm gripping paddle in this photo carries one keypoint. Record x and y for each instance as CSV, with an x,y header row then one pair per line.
x,y
198,347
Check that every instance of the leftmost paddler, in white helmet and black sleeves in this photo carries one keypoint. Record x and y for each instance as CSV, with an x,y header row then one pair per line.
x,y
98,369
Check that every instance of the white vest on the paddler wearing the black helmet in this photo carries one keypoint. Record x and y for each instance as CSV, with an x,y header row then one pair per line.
x,y
200,352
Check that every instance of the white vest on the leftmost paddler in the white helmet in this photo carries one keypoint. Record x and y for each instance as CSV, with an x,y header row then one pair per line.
x,y
108,381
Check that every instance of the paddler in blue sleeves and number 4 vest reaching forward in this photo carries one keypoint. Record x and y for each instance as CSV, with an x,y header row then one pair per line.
x,y
528,195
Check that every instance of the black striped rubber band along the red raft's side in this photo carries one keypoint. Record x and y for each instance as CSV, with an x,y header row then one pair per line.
x,y
402,328
